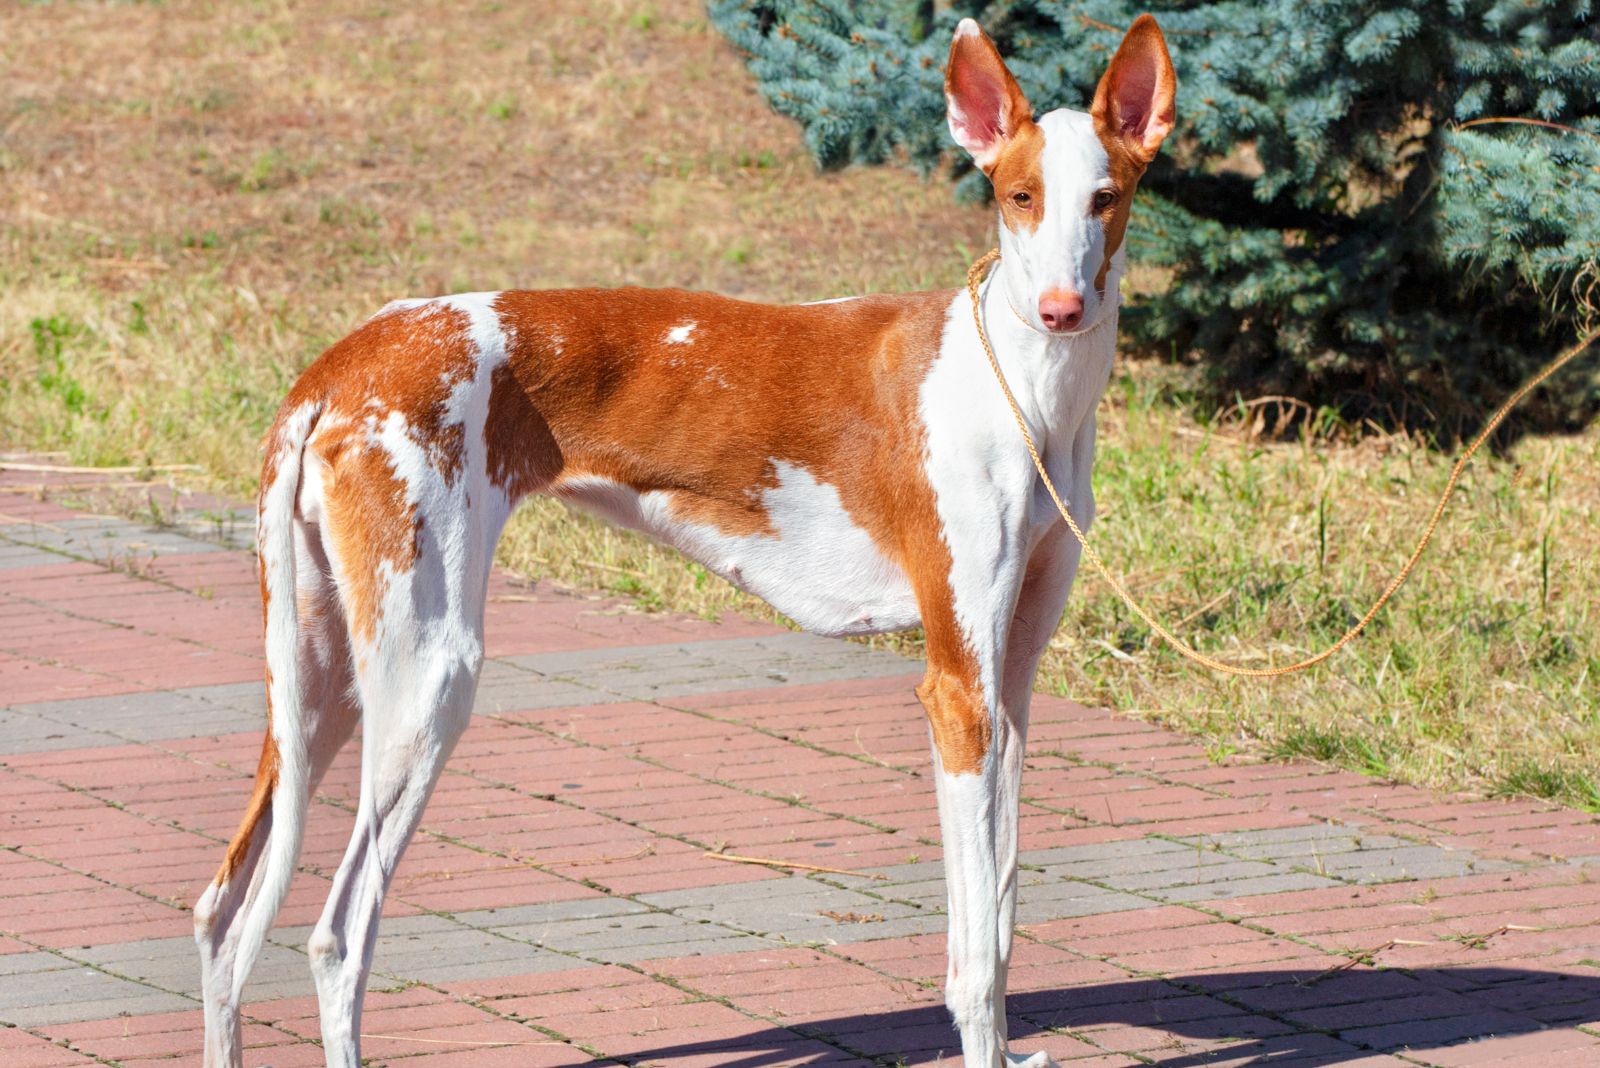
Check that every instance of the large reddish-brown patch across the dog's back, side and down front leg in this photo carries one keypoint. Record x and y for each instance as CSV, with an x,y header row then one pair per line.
x,y
833,389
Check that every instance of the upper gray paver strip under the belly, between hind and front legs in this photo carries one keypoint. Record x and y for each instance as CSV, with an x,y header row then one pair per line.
x,y
698,667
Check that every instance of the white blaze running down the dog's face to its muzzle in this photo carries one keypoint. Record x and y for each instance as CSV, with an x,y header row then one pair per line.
x,y
1068,247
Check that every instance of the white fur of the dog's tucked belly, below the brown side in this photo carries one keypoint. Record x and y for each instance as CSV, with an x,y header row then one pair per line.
x,y
815,565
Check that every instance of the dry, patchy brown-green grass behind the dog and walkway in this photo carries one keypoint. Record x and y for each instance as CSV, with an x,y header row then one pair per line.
x,y
196,199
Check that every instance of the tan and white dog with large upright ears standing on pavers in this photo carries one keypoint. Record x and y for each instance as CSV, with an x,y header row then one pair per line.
x,y
852,463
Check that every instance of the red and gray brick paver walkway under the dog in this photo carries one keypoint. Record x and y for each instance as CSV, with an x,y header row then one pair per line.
x,y
559,907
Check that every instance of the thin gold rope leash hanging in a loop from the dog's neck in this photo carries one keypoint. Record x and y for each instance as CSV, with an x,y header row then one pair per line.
x,y
975,276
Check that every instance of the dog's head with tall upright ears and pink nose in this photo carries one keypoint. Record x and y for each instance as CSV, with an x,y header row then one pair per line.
x,y
1065,181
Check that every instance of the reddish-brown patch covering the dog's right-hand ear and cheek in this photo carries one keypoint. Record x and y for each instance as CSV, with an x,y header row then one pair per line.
x,y
1134,111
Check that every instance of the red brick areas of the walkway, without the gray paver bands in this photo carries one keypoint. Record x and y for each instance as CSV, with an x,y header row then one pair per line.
x,y
106,847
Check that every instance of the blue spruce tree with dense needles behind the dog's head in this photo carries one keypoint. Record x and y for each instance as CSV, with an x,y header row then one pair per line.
x,y
1343,209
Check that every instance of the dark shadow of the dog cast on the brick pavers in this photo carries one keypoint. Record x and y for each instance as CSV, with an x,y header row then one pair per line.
x,y
1215,1018
